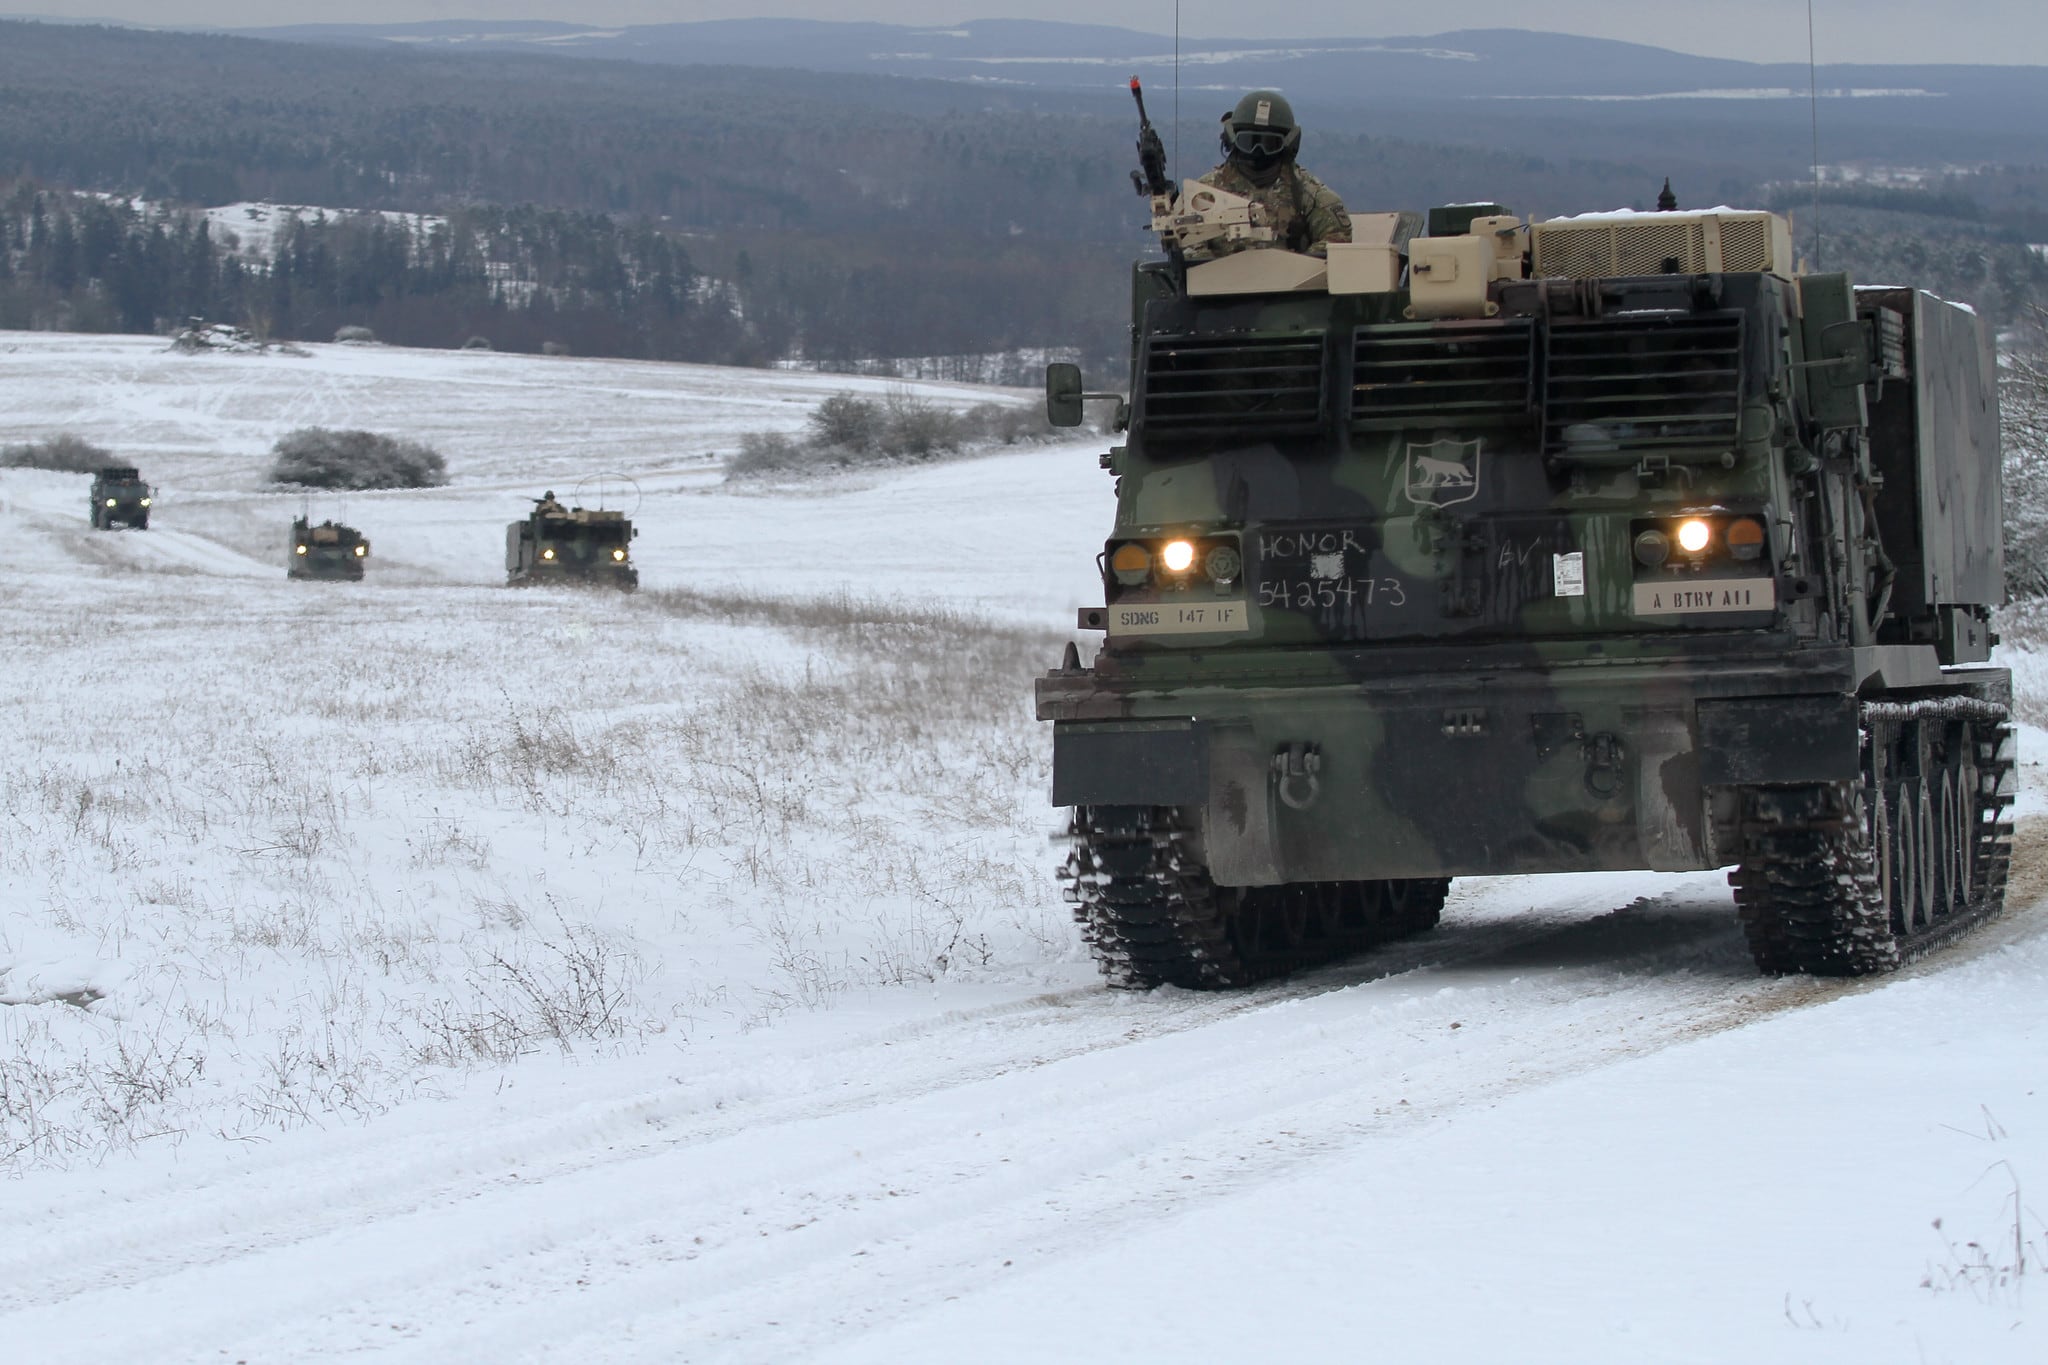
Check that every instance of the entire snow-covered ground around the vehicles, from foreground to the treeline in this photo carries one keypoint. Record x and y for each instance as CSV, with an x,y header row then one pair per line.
x,y
427,971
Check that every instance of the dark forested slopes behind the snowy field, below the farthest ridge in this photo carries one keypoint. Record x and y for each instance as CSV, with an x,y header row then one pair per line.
x,y
689,214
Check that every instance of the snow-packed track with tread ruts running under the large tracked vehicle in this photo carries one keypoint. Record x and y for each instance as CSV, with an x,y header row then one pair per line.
x,y
720,1206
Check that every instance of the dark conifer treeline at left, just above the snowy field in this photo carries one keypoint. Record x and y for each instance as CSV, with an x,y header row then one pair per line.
x,y
519,277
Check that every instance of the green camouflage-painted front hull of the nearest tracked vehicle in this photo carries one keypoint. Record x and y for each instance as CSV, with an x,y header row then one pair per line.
x,y
1441,654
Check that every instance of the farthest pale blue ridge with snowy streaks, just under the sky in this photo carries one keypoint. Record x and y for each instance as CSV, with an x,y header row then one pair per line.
x,y
1504,89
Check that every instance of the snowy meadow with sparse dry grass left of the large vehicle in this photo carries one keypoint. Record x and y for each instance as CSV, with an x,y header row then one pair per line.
x,y
325,848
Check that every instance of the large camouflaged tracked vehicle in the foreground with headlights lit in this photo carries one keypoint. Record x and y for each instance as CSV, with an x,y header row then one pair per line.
x,y
1598,543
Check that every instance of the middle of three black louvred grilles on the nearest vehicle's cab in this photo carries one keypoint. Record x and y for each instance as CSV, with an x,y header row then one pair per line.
x,y
1404,376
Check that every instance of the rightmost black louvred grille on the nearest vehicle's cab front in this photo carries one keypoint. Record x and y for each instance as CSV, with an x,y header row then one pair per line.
x,y
1646,384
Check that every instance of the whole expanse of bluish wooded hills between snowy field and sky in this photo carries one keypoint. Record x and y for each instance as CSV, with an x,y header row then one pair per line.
x,y
976,206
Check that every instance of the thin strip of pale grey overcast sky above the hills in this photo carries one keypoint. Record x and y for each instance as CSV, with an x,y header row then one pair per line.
x,y
2006,32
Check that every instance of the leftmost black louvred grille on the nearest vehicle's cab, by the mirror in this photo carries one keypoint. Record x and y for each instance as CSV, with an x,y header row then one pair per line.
x,y
1232,384
